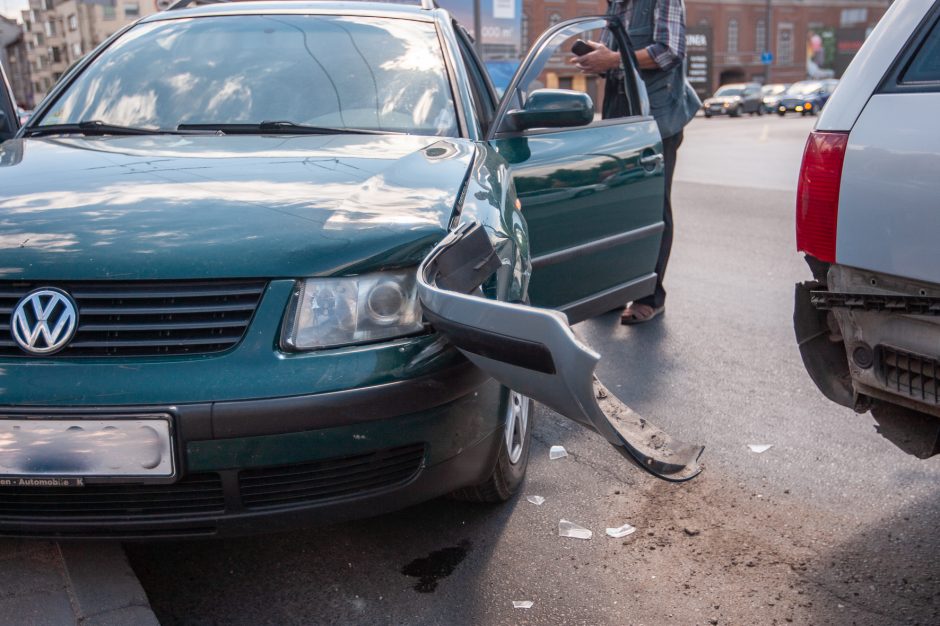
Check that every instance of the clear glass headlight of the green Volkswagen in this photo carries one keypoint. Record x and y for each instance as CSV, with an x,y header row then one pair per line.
x,y
331,312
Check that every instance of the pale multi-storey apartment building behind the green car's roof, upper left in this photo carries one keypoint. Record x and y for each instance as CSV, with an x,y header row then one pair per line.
x,y
60,32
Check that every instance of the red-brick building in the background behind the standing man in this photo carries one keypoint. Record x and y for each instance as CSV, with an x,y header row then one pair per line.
x,y
826,33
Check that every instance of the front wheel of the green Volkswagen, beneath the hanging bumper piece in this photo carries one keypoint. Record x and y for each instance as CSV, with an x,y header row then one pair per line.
x,y
513,458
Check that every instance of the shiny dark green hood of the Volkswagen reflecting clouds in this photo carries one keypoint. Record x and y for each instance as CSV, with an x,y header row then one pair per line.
x,y
176,207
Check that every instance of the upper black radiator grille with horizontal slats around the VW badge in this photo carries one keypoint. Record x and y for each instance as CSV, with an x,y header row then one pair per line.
x,y
146,318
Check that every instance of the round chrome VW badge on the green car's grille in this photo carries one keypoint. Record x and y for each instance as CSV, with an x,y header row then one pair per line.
x,y
44,321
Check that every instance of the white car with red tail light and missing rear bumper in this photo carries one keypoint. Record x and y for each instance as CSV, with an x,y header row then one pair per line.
x,y
868,221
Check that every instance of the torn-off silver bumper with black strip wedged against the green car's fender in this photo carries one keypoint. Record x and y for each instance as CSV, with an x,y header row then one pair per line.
x,y
534,352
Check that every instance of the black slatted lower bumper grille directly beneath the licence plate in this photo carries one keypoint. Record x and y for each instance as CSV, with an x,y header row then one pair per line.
x,y
193,495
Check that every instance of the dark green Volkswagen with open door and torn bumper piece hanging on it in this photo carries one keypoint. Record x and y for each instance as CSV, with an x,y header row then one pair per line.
x,y
211,315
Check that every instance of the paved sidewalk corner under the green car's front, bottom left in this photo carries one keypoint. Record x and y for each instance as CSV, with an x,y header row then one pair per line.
x,y
44,583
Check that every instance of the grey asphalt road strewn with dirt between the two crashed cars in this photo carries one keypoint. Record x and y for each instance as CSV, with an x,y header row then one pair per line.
x,y
832,525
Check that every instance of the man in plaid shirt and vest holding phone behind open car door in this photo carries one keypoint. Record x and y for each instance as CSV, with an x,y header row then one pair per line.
x,y
656,29
